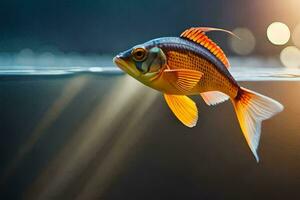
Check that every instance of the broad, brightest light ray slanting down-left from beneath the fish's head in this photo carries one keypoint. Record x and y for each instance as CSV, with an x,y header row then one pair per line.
x,y
88,140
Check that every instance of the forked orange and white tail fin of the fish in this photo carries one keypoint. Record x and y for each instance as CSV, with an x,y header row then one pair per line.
x,y
251,109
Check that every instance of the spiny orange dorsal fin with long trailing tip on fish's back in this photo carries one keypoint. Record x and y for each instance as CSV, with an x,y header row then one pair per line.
x,y
197,35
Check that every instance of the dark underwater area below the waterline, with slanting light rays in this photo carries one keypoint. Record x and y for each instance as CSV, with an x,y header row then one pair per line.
x,y
109,137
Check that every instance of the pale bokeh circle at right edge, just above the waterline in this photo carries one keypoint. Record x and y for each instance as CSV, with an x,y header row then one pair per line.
x,y
290,57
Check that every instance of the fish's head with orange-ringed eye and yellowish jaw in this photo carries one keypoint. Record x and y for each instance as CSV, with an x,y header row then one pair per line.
x,y
142,62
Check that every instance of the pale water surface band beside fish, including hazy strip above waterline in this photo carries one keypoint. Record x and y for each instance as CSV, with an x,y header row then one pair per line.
x,y
250,69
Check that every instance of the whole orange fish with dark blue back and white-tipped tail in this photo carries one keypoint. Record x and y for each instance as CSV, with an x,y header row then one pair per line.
x,y
193,64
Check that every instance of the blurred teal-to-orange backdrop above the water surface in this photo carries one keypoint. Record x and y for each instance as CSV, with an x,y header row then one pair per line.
x,y
47,30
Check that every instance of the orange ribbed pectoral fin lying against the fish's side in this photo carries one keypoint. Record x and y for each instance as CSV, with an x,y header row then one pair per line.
x,y
183,79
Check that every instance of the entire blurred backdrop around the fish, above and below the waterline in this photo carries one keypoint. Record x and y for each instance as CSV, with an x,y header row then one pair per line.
x,y
91,136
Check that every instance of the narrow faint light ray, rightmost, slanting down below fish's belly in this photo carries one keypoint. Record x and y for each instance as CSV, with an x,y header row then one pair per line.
x,y
112,163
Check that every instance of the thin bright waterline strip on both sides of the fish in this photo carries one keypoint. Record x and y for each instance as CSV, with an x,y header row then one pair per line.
x,y
239,73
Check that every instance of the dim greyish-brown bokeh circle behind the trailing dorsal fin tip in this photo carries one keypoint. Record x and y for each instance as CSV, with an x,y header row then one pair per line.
x,y
246,44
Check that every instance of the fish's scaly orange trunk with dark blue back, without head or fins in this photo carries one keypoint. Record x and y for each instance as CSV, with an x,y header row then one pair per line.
x,y
184,54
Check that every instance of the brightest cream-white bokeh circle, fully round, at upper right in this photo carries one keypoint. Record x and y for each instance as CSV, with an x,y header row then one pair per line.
x,y
278,33
